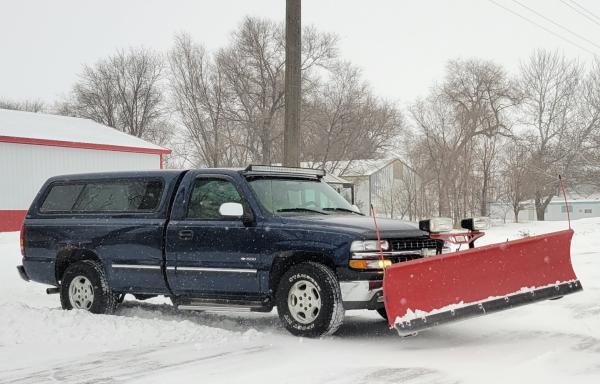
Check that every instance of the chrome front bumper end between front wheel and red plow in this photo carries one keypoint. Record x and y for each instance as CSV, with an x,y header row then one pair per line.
x,y
362,294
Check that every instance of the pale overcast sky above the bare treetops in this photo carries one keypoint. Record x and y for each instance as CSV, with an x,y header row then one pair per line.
x,y
401,46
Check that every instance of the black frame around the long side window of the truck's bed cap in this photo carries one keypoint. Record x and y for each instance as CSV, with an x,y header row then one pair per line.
x,y
100,181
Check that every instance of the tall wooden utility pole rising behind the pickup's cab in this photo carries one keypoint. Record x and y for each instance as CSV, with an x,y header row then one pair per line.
x,y
291,133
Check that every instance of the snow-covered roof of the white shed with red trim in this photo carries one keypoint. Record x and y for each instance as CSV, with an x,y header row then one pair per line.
x,y
41,126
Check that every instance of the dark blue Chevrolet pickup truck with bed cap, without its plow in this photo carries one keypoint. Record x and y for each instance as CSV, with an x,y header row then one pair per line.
x,y
214,239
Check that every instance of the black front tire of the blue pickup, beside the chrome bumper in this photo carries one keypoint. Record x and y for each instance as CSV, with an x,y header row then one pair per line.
x,y
330,314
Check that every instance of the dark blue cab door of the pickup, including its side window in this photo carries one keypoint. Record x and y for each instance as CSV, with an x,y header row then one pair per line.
x,y
208,254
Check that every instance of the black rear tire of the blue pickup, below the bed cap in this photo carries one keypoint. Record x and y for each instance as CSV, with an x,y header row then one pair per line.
x,y
90,272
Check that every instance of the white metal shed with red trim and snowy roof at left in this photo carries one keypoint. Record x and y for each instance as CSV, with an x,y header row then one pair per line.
x,y
36,146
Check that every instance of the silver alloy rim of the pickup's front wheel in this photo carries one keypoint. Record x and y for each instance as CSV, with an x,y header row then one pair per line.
x,y
304,301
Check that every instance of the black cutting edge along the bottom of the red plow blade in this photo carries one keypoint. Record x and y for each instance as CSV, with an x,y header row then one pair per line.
x,y
412,326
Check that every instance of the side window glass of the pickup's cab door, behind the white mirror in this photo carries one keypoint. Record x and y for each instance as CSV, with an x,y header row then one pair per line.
x,y
207,197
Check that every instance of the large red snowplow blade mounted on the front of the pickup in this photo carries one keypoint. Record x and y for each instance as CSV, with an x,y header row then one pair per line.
x,y
440,289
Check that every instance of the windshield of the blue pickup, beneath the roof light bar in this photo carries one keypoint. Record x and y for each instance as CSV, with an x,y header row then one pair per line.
x,y
292,196
